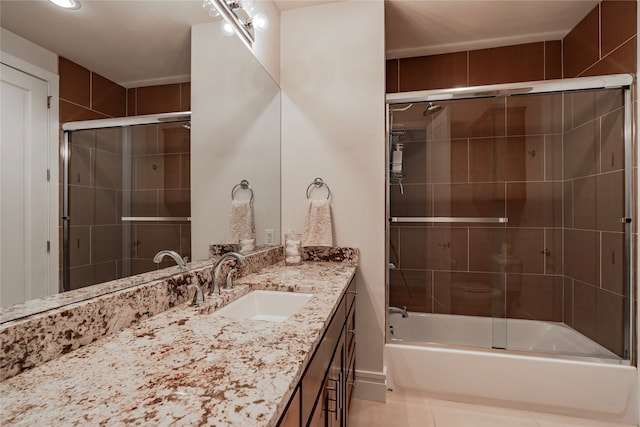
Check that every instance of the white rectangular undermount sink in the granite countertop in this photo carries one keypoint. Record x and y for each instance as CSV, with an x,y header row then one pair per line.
x,y
273,306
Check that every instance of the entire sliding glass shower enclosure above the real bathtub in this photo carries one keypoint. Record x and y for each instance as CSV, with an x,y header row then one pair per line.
x,y
510,216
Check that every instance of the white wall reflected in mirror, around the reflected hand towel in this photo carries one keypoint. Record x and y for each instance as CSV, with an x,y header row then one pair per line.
x,y
235,135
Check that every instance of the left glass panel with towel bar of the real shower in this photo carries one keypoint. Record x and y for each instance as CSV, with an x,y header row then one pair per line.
x,y
448,220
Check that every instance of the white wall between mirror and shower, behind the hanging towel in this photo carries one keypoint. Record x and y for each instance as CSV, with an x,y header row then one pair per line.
x,y
333,99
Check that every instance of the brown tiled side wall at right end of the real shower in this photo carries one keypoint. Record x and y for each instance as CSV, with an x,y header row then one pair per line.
x,y
604,42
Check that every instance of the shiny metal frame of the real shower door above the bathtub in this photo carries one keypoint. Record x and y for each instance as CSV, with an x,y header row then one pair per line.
x,y
613,81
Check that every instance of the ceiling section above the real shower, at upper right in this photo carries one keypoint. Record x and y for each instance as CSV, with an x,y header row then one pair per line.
x,y
420,27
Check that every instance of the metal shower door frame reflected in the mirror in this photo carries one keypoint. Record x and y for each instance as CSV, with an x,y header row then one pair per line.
x,y
119,122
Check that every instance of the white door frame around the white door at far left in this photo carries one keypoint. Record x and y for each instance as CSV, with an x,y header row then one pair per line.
x,y
53,159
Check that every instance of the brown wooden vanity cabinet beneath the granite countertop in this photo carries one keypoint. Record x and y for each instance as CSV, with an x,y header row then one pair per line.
x,y
325,391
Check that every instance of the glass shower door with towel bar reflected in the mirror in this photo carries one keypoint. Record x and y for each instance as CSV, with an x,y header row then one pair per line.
x,y
127,191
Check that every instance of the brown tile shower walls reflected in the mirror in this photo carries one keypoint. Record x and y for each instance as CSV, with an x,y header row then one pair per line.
x,y
96,175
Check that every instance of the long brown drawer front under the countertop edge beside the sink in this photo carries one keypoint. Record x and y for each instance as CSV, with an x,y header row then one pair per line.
x,y
315,374
